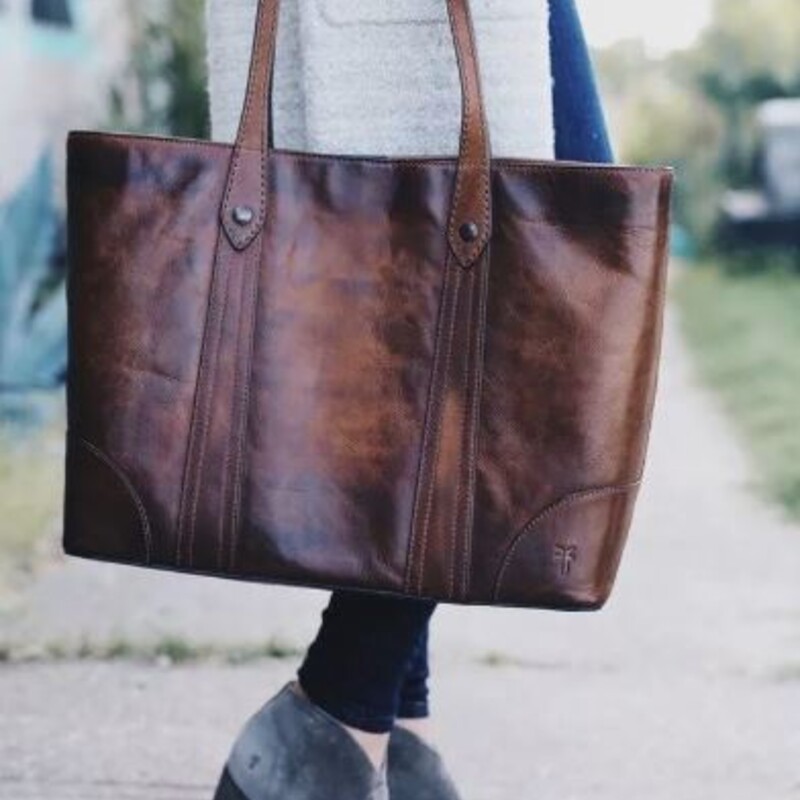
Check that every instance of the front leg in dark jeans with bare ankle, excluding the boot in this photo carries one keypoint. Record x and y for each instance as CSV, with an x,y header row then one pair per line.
x,y
356,666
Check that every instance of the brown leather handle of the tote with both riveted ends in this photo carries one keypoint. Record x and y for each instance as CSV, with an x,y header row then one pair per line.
x,y
244,205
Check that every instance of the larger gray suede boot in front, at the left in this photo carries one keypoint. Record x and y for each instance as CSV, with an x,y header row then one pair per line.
x,y
293,750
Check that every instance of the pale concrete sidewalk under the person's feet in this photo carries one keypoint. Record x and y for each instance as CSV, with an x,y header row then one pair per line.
x,y
686,687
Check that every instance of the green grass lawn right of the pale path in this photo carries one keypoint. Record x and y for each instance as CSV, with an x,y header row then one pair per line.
x,y
744,328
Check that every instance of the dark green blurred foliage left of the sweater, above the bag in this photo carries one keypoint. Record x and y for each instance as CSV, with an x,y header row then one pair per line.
x,y
168,69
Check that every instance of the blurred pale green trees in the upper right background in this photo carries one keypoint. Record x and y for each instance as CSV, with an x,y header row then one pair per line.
x,y
695,108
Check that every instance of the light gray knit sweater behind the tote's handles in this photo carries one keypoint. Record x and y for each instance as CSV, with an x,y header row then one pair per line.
x,y
379,76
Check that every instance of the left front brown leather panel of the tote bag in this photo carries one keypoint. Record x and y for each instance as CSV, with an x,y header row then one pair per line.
x,y
142,230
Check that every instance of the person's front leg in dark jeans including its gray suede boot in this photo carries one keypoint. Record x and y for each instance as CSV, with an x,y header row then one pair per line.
x,y
346,698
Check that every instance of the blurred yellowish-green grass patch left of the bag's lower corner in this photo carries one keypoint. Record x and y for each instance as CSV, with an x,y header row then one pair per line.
x,y
31,482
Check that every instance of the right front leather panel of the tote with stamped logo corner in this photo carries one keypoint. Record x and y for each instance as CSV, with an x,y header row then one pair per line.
x,y
573,336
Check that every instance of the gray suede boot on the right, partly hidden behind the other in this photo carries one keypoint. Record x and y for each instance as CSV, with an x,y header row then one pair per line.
x,y
416,770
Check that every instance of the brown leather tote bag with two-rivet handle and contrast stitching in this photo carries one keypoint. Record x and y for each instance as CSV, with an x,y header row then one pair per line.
x,y
430,377
